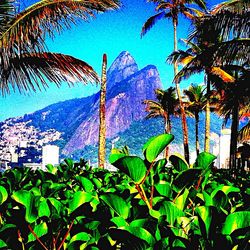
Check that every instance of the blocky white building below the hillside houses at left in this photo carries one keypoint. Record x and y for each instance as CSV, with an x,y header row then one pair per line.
x,y
50,155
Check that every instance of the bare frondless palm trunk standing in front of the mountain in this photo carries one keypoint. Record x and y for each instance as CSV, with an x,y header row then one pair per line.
x,y
102,128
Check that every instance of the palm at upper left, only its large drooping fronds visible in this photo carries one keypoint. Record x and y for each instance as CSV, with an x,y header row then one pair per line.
x,y
25,63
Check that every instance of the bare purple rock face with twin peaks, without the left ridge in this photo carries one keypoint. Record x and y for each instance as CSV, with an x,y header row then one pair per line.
x,y
129,87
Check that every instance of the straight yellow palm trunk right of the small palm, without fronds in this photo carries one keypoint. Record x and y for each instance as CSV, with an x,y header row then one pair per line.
x,y
207,118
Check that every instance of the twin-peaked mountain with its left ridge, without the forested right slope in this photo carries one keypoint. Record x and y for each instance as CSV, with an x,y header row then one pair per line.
x,y
77,120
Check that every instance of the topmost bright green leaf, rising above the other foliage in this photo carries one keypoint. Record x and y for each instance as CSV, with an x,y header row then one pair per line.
x,y
155,146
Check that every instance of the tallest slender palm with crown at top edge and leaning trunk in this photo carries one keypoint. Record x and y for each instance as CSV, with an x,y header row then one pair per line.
x,y
170,10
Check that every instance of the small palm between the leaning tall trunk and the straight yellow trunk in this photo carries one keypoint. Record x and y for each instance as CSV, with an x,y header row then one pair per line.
x,y
195,104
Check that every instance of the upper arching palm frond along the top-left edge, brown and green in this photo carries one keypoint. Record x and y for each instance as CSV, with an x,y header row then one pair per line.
x,y
29,26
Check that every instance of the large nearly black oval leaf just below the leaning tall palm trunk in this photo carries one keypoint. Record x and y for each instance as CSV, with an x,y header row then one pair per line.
x,y
186,178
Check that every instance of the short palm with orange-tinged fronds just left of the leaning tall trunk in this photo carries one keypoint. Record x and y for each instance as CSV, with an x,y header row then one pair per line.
x,y
165,106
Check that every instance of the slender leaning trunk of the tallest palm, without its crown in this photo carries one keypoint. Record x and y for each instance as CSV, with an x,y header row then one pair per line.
x,y
178,91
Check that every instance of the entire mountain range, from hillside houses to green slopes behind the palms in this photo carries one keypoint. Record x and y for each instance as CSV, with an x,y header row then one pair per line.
x,y
73,125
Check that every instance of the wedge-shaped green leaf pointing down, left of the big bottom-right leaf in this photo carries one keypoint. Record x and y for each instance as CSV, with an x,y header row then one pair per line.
x,y
205,214
